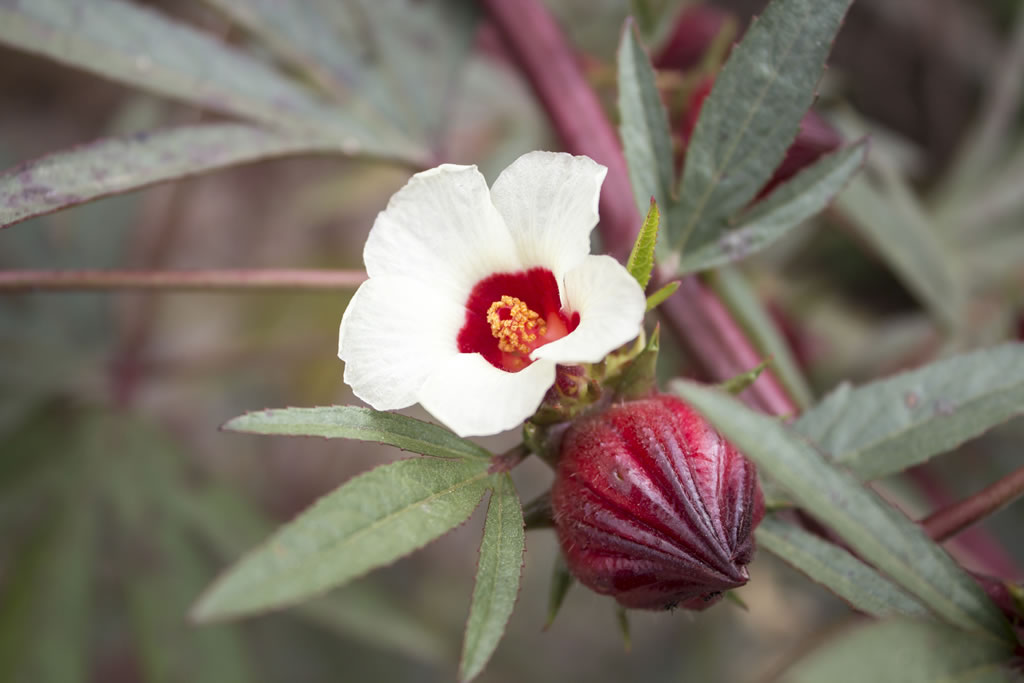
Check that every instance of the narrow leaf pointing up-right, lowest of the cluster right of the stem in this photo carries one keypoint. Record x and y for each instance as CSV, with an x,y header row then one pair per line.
x,y
772,219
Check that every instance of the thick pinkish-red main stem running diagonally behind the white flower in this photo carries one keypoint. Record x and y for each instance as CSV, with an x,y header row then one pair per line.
x,y
694,314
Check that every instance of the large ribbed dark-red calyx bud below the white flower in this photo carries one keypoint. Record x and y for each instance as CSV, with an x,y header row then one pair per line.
x,y
654,507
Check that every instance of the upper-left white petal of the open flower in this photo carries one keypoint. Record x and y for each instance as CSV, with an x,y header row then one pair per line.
x,y
442,230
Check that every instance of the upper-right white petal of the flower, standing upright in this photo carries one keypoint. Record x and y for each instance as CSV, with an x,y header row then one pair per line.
x,y
549,202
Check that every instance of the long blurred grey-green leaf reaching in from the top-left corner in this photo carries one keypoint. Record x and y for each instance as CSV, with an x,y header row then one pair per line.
x,y
140,48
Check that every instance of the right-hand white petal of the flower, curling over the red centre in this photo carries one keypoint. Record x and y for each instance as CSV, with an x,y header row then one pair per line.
x,y
611,305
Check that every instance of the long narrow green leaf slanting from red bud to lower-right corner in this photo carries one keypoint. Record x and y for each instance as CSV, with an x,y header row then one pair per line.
x,y
877,532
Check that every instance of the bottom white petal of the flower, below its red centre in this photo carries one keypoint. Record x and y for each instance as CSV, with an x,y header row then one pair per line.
x,y
475,399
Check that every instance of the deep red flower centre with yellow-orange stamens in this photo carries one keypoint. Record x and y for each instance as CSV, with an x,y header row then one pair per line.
x,y
509,315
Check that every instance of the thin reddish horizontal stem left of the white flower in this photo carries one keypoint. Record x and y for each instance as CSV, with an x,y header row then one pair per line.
x,y
272,279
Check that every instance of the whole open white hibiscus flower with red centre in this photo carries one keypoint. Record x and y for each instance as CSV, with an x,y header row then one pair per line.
x,y
476,295
